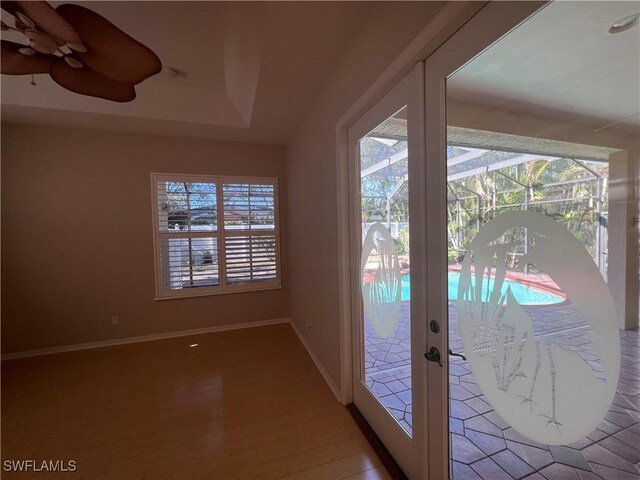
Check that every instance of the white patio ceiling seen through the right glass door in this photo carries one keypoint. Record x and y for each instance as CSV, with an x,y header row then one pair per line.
x,y
562,62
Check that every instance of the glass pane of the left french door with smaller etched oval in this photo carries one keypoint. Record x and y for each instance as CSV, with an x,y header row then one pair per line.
x,y
385,265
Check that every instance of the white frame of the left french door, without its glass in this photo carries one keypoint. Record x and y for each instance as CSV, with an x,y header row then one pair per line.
x,y
404,448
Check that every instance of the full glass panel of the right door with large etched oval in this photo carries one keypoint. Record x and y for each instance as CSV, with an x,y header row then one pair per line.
x,y
544,377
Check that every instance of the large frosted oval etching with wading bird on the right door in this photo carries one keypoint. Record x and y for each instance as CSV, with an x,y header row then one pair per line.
x,y
538,383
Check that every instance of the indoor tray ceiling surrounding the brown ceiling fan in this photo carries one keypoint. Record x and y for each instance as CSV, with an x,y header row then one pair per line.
x,y
251,68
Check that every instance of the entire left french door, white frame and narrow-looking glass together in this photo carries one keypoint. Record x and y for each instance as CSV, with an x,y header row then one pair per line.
x,y
387,178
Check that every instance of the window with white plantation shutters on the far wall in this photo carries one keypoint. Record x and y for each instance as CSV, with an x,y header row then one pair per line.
x,y
215,235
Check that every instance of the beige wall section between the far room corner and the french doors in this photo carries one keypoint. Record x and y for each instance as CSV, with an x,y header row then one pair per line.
x,y
311,171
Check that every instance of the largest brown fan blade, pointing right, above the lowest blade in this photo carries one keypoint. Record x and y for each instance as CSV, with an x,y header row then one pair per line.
x,y
110,51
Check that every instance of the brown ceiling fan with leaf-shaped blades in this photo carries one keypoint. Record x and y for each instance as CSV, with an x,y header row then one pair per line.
x,y
81,50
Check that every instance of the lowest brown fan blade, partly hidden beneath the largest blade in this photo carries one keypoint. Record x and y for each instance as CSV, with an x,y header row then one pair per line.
x,y
87,82
